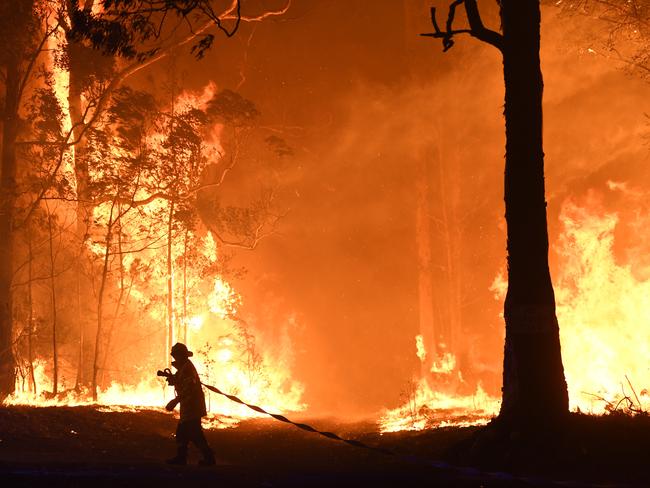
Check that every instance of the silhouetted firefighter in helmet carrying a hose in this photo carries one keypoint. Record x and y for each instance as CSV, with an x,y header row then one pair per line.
x,y
189,394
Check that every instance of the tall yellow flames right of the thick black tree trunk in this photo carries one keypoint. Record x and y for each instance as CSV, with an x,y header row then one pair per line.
x,y
602,307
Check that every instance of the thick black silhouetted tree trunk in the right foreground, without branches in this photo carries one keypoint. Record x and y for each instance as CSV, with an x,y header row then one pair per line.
x,y
534,387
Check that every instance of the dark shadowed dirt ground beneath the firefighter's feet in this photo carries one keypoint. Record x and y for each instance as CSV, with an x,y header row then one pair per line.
x,y
88,446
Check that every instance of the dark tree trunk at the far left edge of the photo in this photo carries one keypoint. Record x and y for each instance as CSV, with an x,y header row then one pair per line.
x,y
7,207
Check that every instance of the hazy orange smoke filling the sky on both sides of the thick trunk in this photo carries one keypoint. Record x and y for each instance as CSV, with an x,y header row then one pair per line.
x,y
362,100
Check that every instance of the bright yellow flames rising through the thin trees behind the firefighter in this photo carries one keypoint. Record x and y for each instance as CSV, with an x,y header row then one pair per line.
x,y
206,313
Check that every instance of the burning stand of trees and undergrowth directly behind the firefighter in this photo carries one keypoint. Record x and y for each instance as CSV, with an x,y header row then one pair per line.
x,y
130,250
